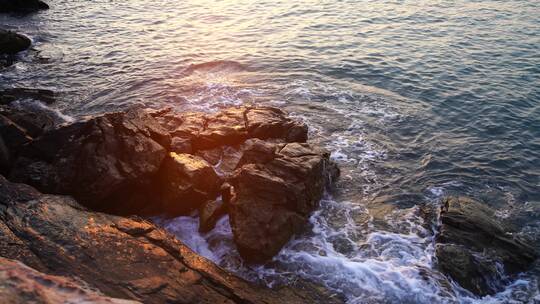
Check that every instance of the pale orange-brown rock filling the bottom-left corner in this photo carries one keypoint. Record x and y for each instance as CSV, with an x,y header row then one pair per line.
x,y
22,284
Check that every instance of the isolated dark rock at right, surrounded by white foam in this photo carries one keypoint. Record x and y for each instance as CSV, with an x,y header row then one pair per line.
x,y
477,250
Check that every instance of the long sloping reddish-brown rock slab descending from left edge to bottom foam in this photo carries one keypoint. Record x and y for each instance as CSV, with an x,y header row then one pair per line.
x,y
125,258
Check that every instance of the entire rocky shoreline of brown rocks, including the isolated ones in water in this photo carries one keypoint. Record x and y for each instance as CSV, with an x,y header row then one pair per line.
x,y
75,199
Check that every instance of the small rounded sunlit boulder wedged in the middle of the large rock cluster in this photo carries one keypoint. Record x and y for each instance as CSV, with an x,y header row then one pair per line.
x,y
186,182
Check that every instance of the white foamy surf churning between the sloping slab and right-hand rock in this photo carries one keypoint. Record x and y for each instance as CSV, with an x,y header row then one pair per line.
x,y
352,259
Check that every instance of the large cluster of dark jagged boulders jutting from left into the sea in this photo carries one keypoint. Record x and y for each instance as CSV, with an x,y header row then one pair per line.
x,y
129,163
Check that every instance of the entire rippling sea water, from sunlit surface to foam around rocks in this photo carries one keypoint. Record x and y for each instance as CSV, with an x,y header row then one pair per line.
x,y
415,99
